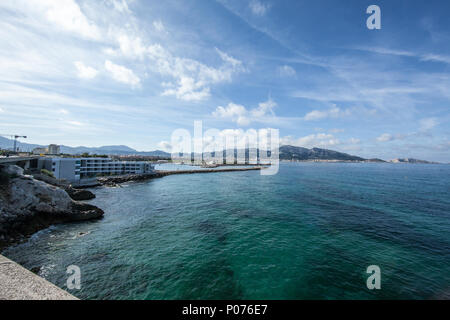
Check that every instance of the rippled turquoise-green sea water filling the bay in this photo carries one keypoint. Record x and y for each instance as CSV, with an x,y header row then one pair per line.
x,y
308,232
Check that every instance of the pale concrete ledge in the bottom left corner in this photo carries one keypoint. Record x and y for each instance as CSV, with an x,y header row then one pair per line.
x,y
18,283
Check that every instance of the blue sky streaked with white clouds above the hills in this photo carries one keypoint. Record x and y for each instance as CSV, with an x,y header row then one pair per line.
x,y
130,72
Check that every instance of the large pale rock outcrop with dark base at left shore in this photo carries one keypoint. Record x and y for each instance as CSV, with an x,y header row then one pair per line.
x,y
28,205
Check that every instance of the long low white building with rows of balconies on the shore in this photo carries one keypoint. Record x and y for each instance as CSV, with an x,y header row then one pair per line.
x,y
75,169
